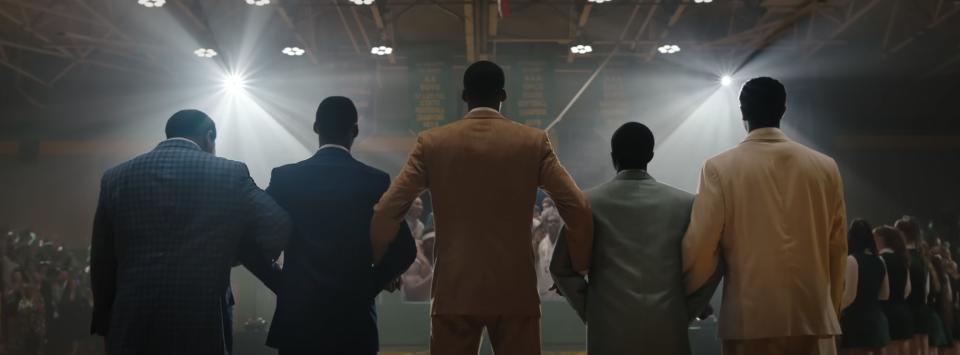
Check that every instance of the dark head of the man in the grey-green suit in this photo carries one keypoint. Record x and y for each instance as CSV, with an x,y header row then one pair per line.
x,y
632,146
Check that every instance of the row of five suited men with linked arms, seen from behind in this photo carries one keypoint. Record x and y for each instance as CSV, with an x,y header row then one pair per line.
x,y
769,219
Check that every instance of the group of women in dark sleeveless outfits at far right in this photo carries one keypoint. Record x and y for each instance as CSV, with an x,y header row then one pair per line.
x,y
902,294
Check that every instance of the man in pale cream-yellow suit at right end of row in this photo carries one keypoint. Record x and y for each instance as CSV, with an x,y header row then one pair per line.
x,y
772,210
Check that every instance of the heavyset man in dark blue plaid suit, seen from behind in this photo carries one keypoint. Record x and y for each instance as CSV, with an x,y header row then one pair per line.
x,y
169,226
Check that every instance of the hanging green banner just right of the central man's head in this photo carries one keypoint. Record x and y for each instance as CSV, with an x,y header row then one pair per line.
x,y
531,93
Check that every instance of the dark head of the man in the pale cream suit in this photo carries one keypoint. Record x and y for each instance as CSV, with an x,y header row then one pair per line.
x,y
763,101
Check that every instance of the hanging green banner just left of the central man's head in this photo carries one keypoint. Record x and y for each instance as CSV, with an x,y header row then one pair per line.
x,y
433,95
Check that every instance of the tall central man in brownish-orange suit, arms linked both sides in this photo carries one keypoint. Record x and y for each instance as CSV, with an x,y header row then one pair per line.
x,y
483,173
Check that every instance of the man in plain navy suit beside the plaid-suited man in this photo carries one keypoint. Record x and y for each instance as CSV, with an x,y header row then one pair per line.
x,y
326,290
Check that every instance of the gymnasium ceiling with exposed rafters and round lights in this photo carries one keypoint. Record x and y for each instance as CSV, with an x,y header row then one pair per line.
x,y
45,42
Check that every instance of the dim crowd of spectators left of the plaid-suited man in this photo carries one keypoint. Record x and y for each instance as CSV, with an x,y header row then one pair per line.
x,y
46,299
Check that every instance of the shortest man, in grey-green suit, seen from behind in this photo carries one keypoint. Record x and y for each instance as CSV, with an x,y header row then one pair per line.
x,y
635,299
